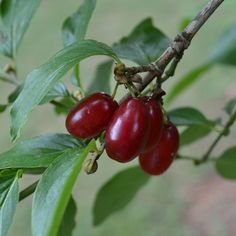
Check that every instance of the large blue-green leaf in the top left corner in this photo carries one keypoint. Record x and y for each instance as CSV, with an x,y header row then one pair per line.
x,y
15,16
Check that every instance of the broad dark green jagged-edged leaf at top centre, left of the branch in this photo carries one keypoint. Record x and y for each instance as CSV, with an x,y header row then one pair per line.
x,y
144,45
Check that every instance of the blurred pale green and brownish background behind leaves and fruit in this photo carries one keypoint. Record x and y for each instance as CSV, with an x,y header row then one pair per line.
x,y
187,200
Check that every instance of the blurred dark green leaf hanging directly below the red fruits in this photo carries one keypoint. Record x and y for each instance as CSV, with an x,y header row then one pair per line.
x,y
117,193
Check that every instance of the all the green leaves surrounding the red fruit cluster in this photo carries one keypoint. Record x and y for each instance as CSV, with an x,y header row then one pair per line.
x,y
58,158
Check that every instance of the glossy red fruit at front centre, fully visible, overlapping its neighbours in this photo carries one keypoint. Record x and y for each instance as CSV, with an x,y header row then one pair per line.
x,y
127,132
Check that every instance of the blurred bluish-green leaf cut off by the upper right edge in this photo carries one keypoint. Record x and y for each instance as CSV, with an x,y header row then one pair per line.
x,y
224,50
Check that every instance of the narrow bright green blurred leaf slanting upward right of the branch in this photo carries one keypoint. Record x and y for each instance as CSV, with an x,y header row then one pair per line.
x,y
186,82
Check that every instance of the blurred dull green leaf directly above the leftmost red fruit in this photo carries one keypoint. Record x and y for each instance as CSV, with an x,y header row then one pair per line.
x,y
101,81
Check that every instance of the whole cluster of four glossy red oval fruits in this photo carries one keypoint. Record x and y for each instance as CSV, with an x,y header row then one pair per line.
x,y
134,128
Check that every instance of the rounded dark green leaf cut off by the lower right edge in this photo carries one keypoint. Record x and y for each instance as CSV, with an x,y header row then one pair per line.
x,y
226,164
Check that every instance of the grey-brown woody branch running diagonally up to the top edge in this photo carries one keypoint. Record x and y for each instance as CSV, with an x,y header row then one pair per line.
x,y
181,42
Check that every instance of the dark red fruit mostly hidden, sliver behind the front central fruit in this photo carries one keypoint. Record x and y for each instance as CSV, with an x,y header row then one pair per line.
x,y
156,123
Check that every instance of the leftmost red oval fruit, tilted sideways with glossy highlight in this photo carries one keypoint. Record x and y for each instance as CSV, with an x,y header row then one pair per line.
x,y
91,116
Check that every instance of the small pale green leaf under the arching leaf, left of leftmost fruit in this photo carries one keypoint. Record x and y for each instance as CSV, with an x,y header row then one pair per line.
x,y
59,90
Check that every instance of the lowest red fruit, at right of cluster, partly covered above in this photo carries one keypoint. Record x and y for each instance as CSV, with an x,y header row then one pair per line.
x,y
160,158
